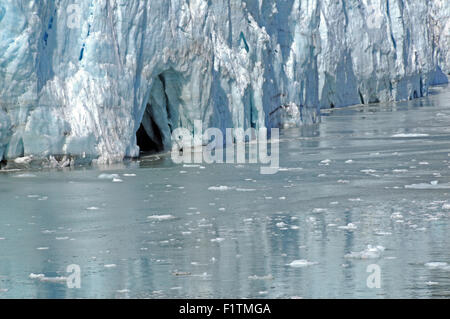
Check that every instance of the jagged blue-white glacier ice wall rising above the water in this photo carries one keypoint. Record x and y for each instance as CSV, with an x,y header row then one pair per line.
x,y
81,77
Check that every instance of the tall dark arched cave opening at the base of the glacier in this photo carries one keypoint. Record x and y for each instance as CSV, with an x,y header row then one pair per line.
x,y
161,113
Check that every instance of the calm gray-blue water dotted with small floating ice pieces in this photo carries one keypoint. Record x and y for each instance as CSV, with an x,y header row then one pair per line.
x,y
240,242
